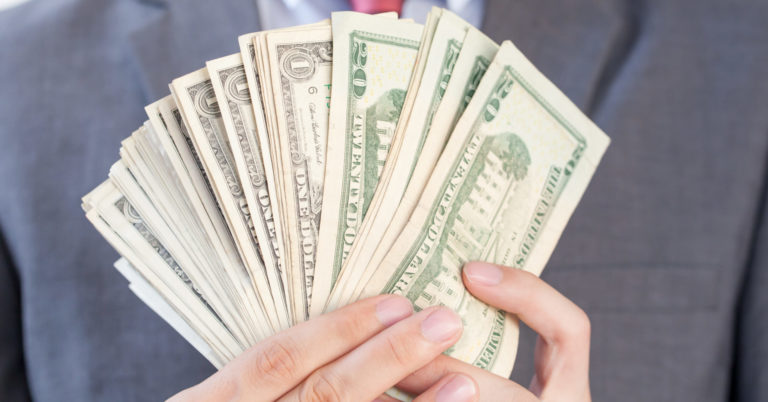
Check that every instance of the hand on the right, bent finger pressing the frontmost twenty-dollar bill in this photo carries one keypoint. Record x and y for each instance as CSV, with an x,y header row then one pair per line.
x,y
562,350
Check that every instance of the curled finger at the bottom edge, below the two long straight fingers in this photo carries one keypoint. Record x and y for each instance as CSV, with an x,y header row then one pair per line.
x,y
490,386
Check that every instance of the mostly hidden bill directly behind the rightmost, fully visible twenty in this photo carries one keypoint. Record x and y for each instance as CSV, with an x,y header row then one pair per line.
x,y
468,69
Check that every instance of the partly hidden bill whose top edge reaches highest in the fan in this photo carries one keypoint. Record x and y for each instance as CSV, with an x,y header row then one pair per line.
x,y
439,61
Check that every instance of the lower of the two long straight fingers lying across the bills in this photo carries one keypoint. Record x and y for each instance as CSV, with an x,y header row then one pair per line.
x,y
376,365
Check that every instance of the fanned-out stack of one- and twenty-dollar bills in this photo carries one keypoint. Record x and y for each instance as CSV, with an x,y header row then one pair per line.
x,y
325,163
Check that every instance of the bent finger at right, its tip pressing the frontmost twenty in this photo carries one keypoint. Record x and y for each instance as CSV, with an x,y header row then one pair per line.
x,y
564,329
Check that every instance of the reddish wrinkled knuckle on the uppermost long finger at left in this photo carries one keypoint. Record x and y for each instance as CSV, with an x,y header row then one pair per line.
x,y
277,361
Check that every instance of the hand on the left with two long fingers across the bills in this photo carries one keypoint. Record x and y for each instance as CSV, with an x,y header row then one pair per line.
x,y
352,354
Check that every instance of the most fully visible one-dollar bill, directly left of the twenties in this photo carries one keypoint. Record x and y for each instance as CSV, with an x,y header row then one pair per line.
x,y
300,73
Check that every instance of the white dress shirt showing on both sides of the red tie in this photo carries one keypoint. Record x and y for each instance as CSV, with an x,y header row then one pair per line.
x,y
284,13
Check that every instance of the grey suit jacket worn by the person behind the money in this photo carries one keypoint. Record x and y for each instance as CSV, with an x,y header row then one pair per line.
x,y
668,251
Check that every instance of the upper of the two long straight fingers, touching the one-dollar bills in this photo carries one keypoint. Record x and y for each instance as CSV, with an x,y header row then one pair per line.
x,y
276,365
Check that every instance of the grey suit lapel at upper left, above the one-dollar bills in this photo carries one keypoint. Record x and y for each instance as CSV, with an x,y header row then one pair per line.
x,y
184,35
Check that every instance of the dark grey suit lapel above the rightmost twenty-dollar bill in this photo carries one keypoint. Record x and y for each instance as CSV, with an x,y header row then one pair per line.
x,y
574,43
